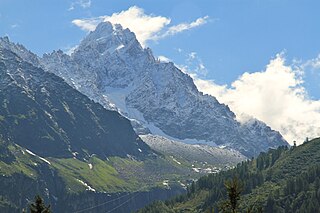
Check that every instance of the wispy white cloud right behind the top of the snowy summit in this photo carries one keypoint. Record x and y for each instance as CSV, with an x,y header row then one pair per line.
x,y
146,26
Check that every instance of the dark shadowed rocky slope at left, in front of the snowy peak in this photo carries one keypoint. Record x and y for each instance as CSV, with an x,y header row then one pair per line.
x,y
31,96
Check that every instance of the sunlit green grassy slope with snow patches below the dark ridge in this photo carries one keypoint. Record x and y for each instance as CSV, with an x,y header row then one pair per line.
x,y
114,174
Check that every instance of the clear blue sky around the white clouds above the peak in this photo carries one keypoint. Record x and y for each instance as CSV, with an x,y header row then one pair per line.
x,y
240,36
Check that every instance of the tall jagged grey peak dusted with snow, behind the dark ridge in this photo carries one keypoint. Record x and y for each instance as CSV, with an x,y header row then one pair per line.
x,y
112,68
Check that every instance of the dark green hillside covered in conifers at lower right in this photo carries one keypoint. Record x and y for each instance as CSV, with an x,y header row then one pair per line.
x,y
281,180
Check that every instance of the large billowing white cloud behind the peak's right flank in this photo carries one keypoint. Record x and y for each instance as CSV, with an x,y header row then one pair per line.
x,y
275,95
